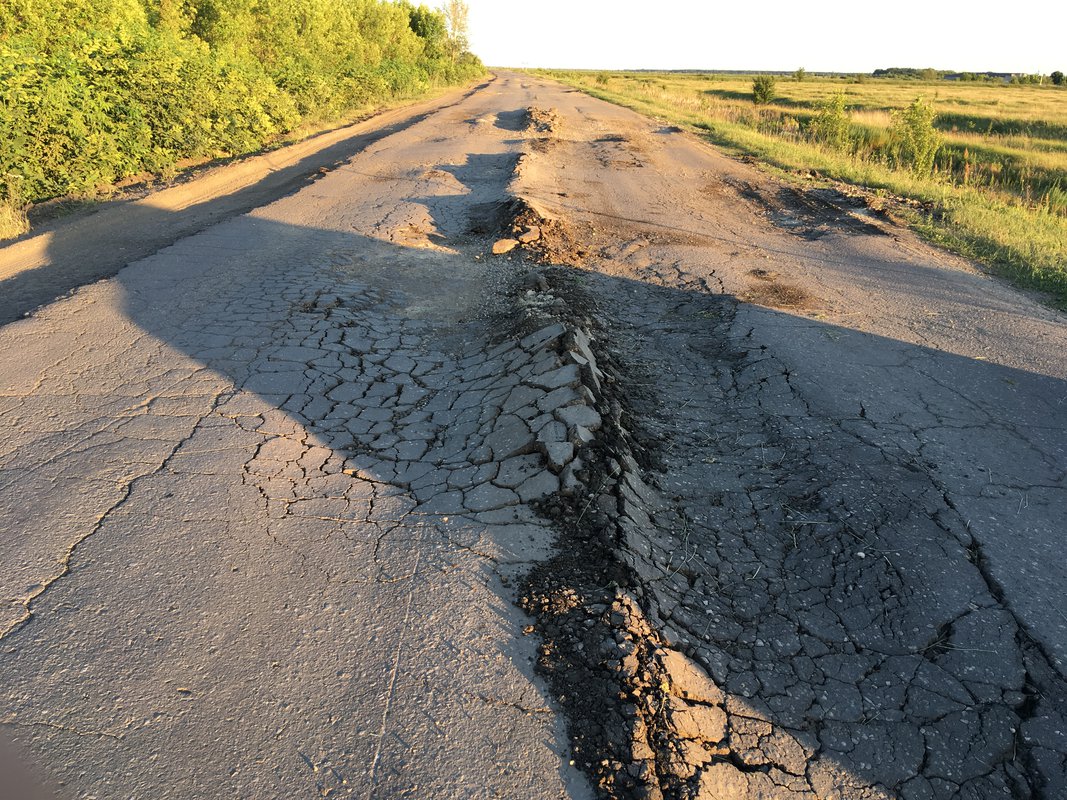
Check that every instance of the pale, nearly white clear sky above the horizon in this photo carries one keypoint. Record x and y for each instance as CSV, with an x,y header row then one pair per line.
x,y
820,36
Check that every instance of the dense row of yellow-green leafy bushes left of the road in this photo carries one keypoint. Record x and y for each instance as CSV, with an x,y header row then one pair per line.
x,y
92,93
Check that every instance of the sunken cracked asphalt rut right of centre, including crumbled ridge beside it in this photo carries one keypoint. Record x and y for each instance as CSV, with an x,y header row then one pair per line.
x,y
795,561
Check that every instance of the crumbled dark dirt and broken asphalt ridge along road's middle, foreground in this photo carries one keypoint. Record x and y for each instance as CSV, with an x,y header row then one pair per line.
x,y
643,718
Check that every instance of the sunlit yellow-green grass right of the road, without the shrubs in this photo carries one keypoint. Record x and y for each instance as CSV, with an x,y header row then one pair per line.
x,y
995,216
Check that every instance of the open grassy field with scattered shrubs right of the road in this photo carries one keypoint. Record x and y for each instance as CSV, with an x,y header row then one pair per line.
x,y
996,189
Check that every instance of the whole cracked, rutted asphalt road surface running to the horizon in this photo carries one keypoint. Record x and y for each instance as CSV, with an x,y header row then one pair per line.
x,y
267,492
